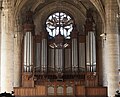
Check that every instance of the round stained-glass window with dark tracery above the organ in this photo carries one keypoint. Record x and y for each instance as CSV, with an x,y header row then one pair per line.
x,y
61,27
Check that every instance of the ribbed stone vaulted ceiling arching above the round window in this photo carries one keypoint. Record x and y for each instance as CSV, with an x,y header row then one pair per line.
x,y
37,5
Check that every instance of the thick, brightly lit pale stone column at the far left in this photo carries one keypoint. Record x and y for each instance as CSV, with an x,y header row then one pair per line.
x,y
7,48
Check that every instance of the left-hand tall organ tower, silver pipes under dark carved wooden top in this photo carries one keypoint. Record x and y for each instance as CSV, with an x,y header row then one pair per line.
x,y
28,42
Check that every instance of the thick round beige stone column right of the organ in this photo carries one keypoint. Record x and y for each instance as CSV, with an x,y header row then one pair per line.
x,y
111,54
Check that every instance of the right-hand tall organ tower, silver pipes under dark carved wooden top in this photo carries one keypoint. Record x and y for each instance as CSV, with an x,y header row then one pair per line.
x,y
90,42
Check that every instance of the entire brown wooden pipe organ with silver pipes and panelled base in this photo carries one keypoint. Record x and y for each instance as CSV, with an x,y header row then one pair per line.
x,y
43,72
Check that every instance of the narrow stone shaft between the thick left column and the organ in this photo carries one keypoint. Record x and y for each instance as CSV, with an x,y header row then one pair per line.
x,y
17,55
